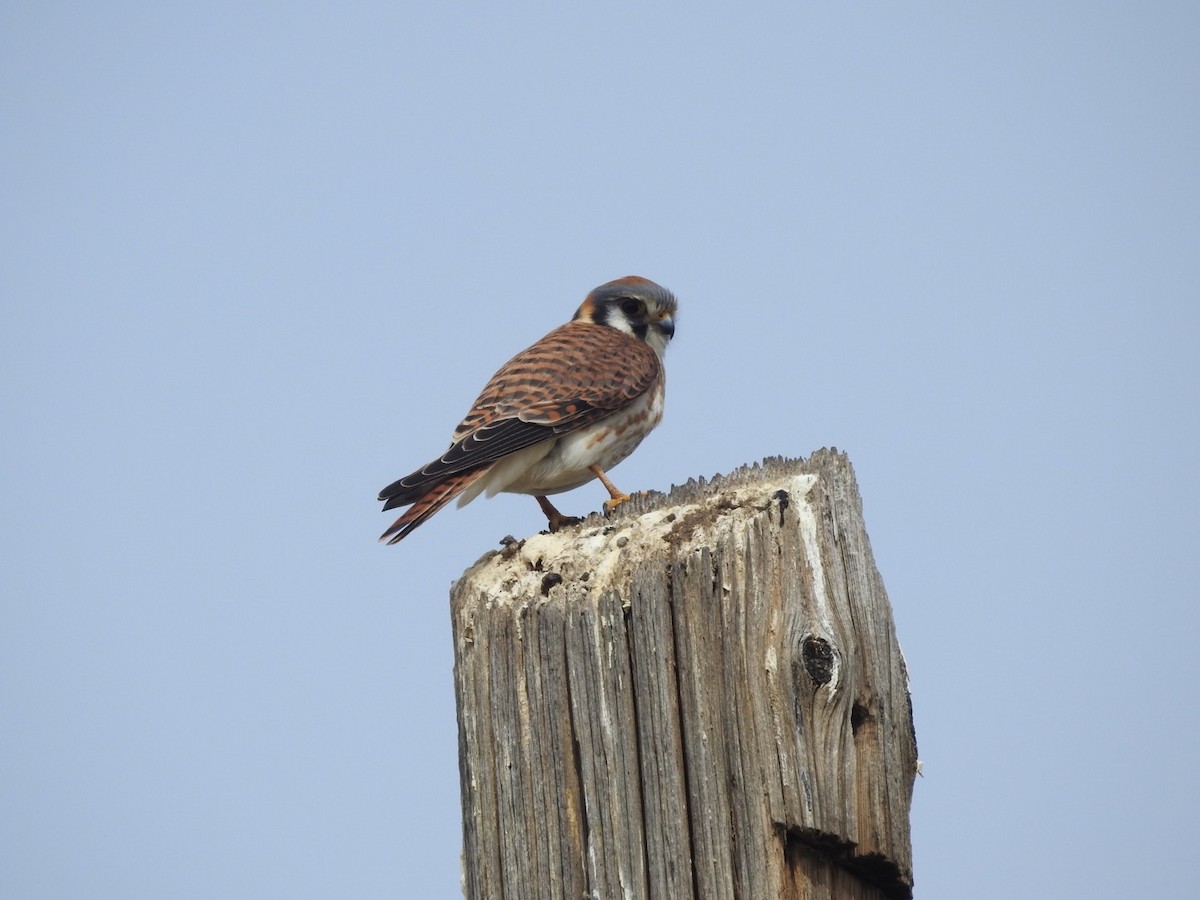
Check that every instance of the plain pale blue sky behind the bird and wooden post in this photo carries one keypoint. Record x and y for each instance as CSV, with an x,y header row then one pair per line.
x,y
259,259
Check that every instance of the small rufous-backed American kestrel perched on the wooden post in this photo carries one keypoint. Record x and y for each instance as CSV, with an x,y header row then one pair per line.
x,y
557,415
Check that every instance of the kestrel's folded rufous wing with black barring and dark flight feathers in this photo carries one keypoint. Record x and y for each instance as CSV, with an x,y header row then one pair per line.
x,y
575,376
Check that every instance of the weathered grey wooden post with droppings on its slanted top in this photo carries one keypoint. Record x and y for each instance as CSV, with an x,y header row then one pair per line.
x,y
700,698
